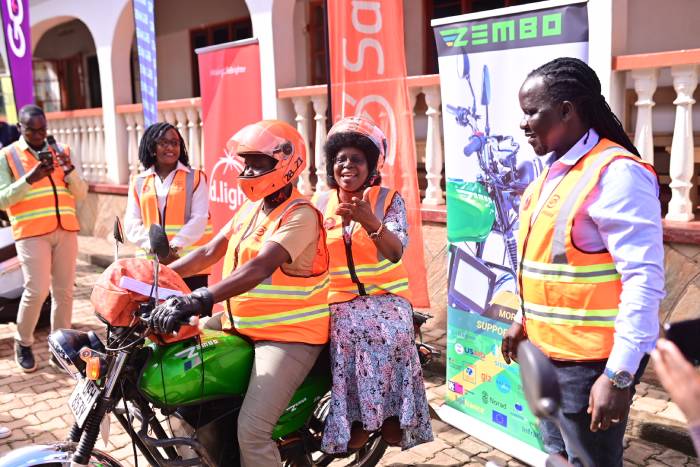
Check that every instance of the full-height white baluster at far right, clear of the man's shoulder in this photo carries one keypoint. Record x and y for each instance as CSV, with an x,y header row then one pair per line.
x,y
685,80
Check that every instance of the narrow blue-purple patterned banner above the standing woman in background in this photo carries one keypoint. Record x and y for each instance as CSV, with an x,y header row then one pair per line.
x,y
146,46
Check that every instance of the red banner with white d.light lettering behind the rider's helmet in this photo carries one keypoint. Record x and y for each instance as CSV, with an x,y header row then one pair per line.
x,y
229,77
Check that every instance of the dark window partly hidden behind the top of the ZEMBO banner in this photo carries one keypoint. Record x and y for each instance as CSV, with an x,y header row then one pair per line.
x,y
444,8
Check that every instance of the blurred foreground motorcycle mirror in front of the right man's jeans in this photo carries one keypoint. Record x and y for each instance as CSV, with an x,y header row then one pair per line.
x,y
539,379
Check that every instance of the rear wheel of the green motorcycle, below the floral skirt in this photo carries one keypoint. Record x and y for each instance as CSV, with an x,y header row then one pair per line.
x,y
367,456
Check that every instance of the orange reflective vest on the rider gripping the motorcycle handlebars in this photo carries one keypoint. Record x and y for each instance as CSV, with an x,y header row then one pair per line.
x,y
282,308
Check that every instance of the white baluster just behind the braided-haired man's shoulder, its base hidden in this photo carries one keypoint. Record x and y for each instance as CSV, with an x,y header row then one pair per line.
x,y
645,86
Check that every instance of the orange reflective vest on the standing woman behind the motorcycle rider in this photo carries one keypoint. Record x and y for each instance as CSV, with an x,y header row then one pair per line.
x,y
177,210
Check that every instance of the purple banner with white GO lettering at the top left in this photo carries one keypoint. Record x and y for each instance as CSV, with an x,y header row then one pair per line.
x,y
15,21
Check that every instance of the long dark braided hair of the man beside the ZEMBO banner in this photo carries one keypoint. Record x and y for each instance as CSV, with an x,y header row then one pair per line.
x,y
570,79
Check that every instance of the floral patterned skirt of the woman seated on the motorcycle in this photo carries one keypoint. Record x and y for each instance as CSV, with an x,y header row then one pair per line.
x,y
376,371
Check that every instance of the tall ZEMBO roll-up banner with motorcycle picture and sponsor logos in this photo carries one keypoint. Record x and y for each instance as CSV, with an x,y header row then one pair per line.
x,y
484,59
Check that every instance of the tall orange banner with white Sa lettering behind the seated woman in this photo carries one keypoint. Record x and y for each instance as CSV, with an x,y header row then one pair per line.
x,y
368,78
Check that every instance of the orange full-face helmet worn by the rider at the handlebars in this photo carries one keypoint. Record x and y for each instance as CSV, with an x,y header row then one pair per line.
x,y
274,139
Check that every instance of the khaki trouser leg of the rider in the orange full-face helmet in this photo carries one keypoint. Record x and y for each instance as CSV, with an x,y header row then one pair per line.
x,y
278,370
